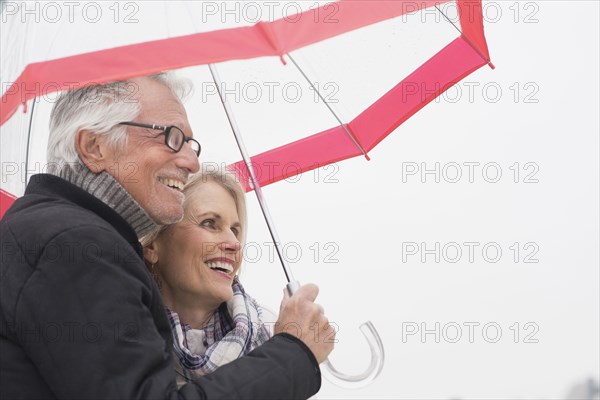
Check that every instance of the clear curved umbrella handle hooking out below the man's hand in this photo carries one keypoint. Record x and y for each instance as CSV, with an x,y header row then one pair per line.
x,y
377,356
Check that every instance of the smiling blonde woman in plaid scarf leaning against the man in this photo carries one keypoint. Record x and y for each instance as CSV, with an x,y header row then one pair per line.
x,y
195,264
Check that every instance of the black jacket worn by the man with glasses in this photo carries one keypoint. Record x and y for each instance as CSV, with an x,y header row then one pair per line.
x,y
81,318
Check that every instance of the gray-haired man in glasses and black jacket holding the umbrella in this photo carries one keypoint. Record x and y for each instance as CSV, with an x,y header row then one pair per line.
x,y
80,316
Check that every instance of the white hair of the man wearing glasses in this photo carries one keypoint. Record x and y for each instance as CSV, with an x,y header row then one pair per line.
x,y
98,109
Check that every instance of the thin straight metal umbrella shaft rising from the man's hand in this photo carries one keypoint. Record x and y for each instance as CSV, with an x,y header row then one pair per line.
x,y
254,181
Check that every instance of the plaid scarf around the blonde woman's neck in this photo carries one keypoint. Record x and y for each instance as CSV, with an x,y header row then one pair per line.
x,y
234,329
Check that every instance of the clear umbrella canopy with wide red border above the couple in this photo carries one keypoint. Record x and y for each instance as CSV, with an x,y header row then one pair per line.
x,y
51,49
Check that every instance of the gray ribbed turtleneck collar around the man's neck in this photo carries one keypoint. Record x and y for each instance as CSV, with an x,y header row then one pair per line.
x,y
110,192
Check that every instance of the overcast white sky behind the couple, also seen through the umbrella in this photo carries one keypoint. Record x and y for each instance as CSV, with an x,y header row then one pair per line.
x,y
369,225
